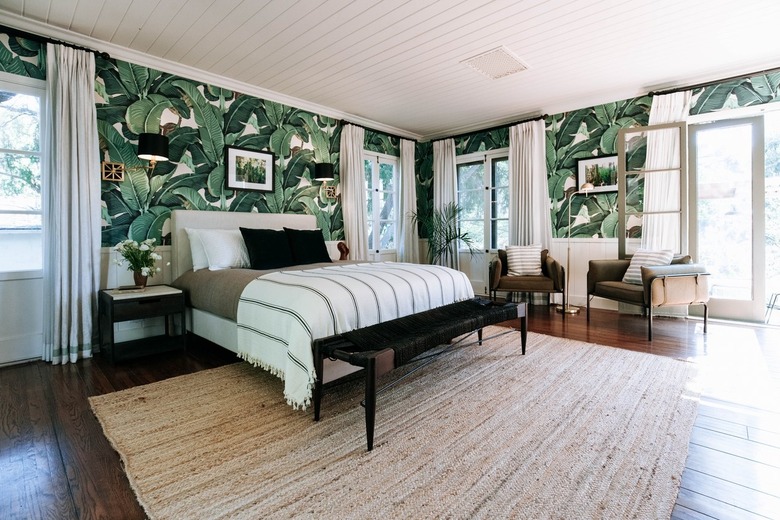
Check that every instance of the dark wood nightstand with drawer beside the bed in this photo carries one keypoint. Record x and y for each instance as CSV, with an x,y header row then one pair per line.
x,y
115,305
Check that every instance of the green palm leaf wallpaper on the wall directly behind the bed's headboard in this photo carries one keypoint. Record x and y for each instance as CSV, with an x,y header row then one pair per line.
x,y
200,120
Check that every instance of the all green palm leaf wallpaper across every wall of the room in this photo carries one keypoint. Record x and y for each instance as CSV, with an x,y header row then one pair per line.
x,y
201,119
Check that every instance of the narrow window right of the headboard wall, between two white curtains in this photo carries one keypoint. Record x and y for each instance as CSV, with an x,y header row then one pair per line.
x,y
382,200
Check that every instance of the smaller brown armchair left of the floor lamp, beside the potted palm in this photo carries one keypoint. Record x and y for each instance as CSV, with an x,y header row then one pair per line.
x,y
552,279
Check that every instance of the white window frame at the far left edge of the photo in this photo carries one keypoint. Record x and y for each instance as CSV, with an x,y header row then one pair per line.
x,y
31,87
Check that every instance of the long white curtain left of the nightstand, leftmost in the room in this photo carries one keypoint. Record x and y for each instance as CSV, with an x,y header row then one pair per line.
x,y
71,206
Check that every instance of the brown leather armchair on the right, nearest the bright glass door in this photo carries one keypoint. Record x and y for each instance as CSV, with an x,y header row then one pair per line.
x,y
680,283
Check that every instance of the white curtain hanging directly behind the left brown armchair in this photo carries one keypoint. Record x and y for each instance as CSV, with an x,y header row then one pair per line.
x,y
529,202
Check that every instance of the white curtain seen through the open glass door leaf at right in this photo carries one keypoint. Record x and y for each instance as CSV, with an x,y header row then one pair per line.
x,y
662,188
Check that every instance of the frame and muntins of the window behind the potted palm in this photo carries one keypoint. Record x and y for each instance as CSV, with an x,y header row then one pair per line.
x,y
489,219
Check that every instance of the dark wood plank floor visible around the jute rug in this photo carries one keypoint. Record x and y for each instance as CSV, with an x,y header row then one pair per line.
x,y
56,463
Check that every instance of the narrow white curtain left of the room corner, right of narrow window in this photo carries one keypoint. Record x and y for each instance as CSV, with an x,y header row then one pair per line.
x,y
408,247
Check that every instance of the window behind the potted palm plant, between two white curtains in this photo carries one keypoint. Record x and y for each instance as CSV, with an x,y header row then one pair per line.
x,y
483,196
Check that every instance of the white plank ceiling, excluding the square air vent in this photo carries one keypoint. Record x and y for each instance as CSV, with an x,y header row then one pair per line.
x,y
396,64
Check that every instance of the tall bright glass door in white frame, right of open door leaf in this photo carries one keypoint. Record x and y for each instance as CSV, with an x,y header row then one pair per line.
x,y
728,207
